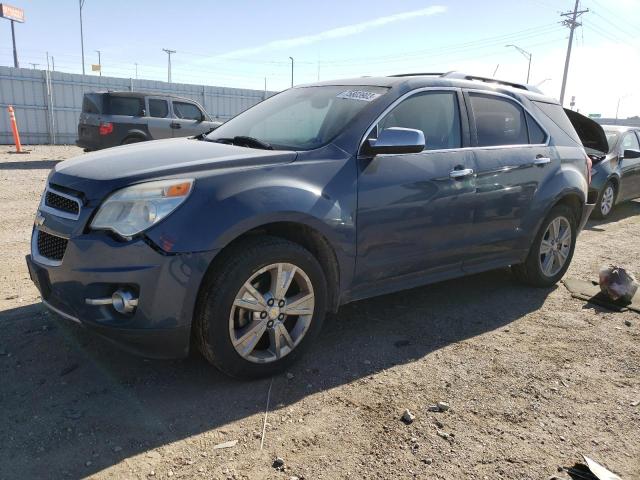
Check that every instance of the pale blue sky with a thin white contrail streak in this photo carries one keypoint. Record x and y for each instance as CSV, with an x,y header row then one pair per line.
x,y
244,43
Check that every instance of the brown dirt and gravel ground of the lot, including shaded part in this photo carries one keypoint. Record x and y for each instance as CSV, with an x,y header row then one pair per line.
x,y
534,379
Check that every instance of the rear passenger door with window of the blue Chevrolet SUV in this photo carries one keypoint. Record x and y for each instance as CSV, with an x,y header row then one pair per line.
x,y
512,158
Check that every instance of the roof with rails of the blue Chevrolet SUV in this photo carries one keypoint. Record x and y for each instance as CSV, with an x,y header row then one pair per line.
x,y
410,81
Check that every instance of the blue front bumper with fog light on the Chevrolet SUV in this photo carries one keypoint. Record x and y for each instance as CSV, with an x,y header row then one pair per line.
x,y
95,265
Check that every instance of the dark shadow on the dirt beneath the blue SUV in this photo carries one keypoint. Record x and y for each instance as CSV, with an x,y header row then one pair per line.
x,y
64,390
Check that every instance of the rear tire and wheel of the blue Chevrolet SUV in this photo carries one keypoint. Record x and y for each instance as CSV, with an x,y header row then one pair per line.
x,y
532,271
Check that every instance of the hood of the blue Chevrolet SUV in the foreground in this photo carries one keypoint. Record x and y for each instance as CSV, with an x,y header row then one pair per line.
x,y
93,173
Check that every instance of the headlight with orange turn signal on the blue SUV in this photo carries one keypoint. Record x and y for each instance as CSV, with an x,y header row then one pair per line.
x,y
134,209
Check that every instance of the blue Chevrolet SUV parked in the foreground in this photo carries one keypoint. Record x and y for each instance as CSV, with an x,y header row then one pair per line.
x,y
239,242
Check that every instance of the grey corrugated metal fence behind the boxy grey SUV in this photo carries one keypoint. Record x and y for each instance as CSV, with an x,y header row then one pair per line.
x,y
27,91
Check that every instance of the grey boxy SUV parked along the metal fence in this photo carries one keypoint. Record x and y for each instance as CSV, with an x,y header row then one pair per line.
x,y
119,118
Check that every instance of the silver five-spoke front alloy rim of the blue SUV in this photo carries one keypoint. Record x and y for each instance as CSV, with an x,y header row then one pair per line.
x,y
271,313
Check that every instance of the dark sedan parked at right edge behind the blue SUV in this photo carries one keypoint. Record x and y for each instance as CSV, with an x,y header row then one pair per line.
x,y
616,172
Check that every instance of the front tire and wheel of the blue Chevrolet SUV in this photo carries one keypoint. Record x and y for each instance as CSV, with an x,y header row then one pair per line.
x,y
221,320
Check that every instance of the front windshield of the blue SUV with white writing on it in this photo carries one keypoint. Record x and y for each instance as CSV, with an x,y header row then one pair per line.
x,y
300,118
